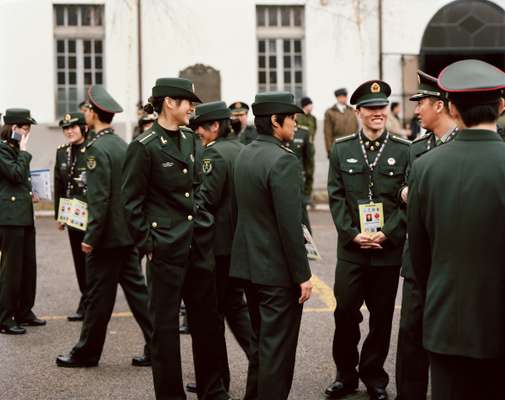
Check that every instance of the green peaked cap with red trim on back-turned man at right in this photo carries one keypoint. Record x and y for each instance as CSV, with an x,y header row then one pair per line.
x,y
472,81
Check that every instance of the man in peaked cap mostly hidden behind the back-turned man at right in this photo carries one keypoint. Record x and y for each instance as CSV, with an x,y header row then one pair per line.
x,y
411,359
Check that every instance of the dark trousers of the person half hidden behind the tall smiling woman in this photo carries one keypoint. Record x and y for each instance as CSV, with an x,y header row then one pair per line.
x,y
232,308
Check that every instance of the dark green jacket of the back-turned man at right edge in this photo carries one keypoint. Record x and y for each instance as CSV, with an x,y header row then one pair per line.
x,y
456,236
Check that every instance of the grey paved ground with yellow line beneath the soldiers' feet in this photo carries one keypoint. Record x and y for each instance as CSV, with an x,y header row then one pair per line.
x,y
28,371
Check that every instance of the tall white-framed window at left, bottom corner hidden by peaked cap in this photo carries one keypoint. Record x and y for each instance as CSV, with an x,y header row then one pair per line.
x,y
79,47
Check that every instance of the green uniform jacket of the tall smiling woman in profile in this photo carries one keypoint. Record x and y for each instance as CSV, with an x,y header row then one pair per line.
x,y
158,185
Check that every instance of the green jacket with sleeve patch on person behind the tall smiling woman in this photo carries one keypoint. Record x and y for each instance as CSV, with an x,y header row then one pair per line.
x,y
218,193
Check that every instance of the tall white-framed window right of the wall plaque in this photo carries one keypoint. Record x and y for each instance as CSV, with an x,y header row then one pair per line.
x,y
280,34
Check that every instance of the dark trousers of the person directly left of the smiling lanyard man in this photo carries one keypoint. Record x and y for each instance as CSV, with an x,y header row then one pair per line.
x,y
275,317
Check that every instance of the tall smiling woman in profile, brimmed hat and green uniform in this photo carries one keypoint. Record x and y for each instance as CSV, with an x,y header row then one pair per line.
x,y
159,179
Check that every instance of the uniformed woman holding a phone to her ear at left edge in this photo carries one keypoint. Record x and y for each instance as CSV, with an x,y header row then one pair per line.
x,y
18,265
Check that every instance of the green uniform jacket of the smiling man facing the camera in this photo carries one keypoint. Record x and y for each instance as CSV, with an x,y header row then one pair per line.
x,y
348,183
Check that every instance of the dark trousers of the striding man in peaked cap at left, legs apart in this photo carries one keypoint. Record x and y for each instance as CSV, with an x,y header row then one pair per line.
x,y
106,268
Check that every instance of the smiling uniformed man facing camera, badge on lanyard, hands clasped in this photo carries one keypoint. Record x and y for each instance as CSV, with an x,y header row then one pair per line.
x,y
366,171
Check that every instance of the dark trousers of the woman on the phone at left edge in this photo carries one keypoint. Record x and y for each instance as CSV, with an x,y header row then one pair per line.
x,y
18,274
